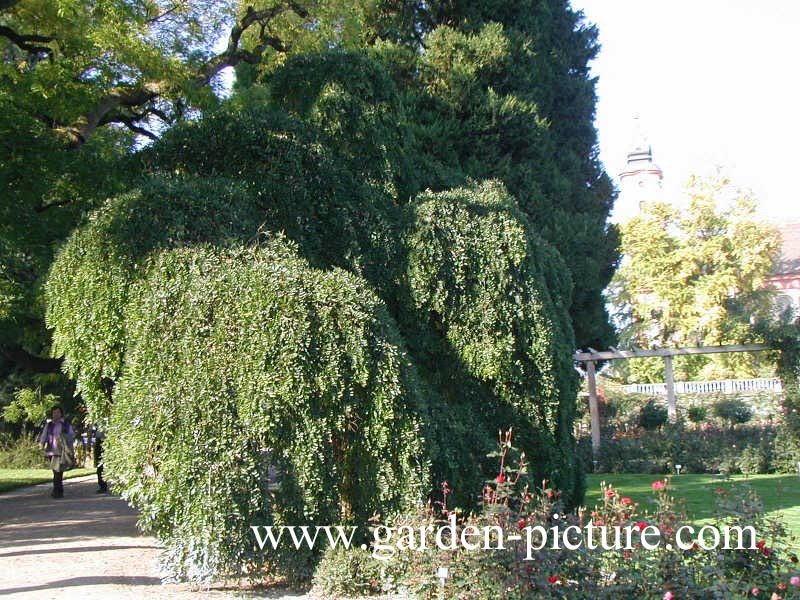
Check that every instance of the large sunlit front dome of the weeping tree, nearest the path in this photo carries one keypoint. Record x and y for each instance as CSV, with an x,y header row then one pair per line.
x,y
303,374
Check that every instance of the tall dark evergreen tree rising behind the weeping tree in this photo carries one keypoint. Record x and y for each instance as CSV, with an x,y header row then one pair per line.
x,y
515,78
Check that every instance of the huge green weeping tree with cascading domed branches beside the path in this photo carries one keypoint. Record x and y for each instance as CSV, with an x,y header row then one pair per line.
x,y
259,306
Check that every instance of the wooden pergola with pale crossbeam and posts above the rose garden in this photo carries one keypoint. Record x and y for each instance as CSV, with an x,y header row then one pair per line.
x,y
590,359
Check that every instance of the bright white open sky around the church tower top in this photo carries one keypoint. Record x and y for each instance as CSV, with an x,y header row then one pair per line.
x,y
716,84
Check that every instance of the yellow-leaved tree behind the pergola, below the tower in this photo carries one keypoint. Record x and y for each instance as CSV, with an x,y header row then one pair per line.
x,y
695,277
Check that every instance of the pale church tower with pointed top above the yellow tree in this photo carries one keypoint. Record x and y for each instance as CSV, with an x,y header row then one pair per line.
x,y
640,180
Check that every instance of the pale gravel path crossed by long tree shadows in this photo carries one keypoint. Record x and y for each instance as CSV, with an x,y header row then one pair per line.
x,y
85,546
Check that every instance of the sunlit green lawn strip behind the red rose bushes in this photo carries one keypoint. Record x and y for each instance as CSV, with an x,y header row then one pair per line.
x,y
779,493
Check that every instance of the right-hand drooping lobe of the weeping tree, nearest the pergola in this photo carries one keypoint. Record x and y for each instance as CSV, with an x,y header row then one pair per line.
x,y
485,279
